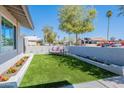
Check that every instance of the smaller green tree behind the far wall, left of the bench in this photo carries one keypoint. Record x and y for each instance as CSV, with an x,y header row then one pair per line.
x,y
49,34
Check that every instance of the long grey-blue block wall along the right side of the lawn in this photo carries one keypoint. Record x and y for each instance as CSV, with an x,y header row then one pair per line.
x,y
107,55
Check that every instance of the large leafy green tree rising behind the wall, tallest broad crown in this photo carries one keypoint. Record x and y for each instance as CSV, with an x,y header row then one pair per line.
x,y
76,19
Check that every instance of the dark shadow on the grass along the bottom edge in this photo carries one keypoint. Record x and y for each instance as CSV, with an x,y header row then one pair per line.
x,y
60,84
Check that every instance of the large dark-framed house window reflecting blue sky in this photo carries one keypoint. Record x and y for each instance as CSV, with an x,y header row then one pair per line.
x,y
8,36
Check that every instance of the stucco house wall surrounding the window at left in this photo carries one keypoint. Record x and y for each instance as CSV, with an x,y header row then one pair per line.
x,y
10,54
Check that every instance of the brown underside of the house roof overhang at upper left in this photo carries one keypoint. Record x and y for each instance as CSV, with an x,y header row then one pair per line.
x,y
21,13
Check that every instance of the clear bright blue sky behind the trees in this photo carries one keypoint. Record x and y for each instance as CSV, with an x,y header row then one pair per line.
x,y
47,15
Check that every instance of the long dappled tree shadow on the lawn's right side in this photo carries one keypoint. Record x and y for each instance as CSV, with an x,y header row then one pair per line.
x,y
74,63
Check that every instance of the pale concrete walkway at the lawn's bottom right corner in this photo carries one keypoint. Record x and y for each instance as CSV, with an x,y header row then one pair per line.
x,y
114,82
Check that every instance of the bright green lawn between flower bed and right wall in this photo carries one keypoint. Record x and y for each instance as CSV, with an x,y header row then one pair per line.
x,y
47,70
